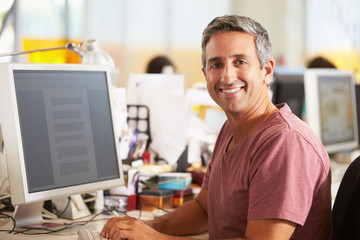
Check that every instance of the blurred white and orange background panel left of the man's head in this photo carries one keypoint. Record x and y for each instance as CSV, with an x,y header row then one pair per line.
x,y
135,31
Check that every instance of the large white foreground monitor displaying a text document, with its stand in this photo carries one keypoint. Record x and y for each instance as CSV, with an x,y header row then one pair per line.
x,y
58,130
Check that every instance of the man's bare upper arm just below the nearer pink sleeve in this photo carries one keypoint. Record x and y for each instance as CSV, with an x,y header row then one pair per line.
x,y
272,229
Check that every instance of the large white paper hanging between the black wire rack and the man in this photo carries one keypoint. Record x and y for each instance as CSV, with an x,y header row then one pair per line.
x,y
164,95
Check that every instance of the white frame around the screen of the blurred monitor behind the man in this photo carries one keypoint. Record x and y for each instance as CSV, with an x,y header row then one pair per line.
x,y
313,118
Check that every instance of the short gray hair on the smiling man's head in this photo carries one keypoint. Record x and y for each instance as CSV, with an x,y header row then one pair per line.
x,y
237,23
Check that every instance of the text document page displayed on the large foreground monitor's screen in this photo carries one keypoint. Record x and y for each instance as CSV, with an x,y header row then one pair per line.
x,y
70,135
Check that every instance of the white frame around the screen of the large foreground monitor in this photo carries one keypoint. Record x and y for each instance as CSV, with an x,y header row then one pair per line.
x,y
13,140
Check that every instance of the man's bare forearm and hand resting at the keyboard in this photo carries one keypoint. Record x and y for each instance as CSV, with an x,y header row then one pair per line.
x,y
189,219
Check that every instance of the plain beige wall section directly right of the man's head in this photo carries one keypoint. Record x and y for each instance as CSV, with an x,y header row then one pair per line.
x,y
285,22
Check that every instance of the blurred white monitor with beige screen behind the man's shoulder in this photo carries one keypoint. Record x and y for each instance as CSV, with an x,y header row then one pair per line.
x,y
331,108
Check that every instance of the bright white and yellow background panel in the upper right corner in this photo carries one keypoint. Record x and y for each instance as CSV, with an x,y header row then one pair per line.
x,y
333,32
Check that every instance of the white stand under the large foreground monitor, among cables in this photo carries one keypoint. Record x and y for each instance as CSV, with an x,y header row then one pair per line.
x,y
30,213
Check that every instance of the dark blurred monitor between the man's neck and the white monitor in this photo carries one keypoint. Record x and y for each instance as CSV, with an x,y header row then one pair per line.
x,y
288,87
